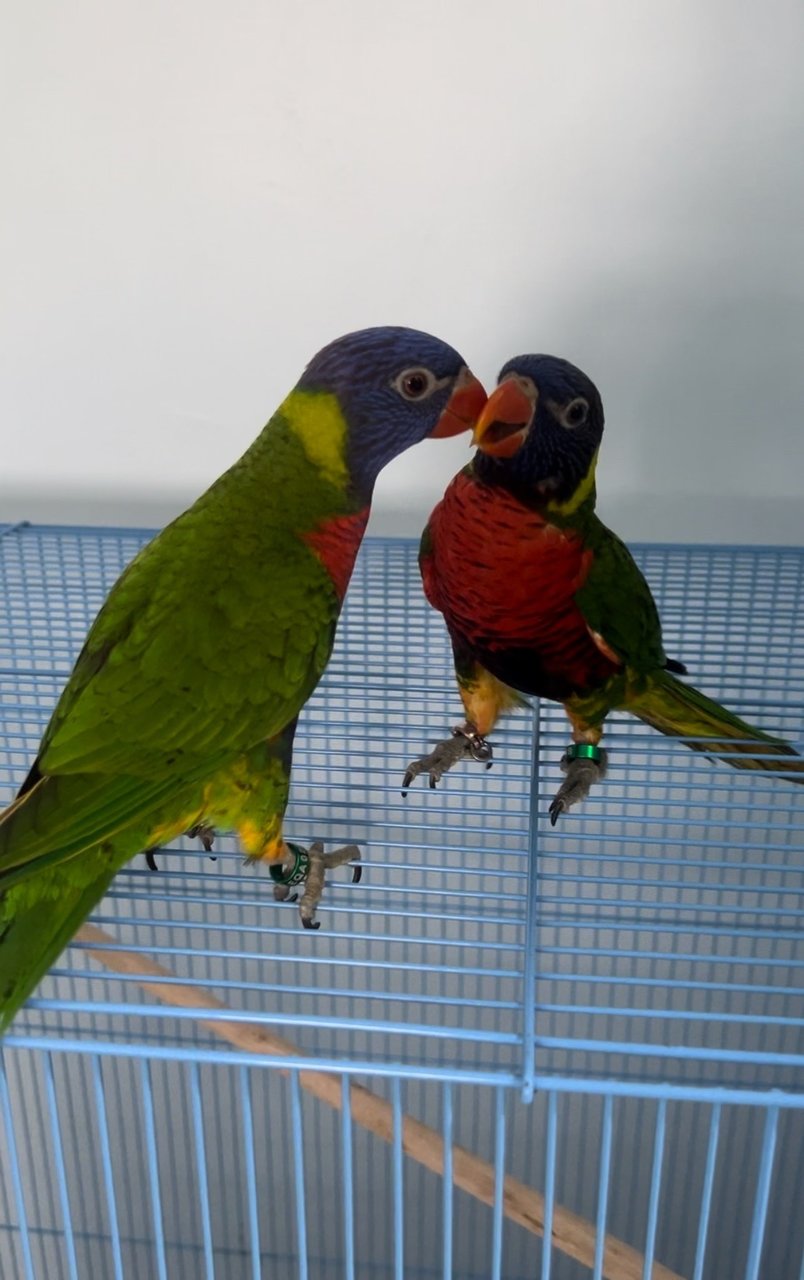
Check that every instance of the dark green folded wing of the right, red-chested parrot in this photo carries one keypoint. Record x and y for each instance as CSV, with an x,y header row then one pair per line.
x,y
618,605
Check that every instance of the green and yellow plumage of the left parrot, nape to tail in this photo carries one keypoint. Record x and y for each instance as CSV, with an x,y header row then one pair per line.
x,y
208,647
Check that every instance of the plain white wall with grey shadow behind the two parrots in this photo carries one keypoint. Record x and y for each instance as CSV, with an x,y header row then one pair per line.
x,y
197,196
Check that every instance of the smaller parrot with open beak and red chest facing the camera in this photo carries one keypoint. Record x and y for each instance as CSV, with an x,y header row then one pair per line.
x,y
542,600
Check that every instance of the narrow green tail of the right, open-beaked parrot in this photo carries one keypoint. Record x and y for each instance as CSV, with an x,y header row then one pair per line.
x,y
683,711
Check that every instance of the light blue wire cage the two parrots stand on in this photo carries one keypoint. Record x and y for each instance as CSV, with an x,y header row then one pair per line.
x,y
518,1052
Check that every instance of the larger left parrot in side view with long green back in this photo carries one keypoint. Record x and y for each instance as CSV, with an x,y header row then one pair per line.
x,y
181,710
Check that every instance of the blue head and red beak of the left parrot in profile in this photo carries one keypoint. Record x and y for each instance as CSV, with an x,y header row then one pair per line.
x,y
395,387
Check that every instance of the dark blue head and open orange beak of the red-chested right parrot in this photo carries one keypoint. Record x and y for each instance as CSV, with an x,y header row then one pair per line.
x,y
541,431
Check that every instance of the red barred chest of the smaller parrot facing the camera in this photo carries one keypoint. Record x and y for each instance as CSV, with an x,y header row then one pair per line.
x,y
505,580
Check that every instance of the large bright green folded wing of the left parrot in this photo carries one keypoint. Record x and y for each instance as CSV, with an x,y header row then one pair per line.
x,y
198,652
